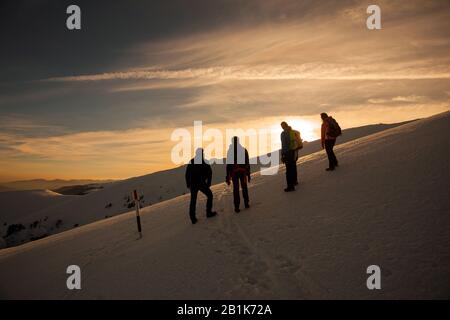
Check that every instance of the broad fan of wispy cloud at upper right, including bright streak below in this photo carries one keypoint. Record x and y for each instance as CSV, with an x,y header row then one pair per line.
x,y
318,46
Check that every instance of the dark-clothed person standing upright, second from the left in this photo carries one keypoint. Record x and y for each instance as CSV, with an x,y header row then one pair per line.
x,y
238,171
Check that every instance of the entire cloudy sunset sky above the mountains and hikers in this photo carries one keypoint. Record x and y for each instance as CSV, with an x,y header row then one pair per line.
x,y
103,101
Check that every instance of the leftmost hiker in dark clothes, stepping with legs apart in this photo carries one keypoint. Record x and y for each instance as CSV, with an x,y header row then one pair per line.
x,y
198,178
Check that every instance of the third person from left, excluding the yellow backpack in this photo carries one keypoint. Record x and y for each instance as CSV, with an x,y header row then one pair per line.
x,y
289,156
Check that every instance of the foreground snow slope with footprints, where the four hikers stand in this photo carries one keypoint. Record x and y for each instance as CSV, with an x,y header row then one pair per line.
x,y
386,205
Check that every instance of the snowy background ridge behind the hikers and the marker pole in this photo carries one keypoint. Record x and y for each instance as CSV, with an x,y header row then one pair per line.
x,y
115,199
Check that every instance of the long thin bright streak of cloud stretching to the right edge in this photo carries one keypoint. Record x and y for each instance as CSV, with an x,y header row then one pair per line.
x,y
310,71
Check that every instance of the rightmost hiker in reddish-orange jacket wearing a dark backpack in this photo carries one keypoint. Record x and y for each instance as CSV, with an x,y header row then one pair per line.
x,y
330,131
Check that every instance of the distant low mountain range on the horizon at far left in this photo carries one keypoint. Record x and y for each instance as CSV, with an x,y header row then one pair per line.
x,y
43,184
